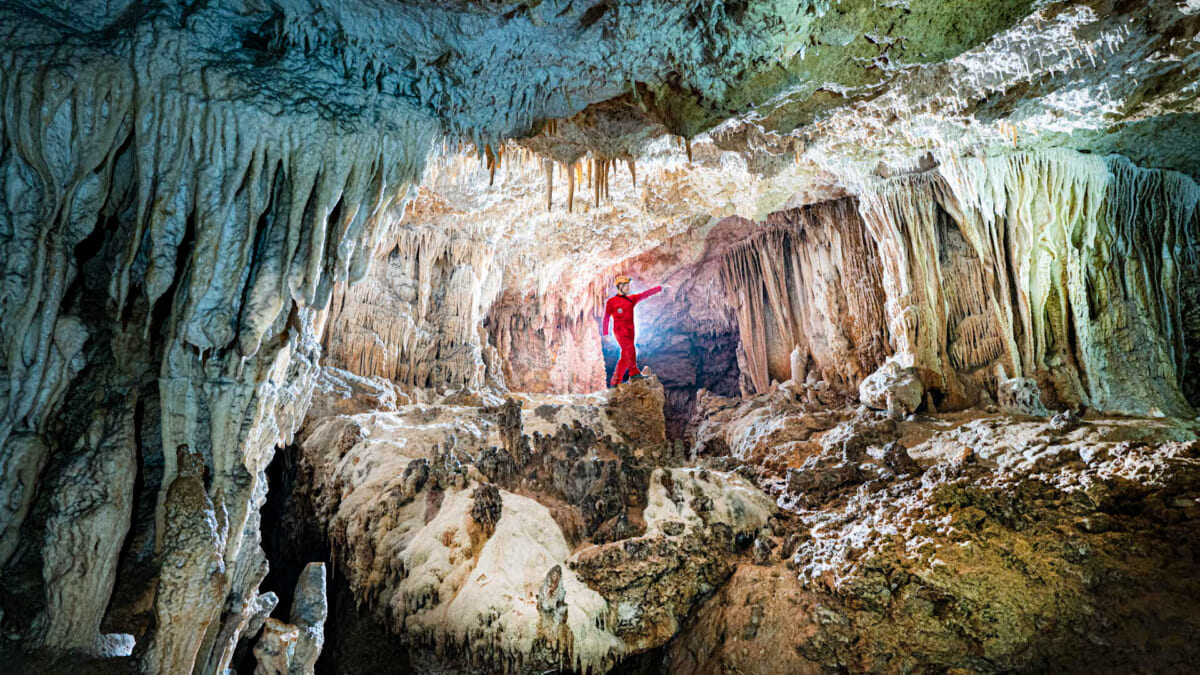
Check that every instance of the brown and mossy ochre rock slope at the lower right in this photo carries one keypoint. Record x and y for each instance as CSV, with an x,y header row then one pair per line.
x,y
1031,553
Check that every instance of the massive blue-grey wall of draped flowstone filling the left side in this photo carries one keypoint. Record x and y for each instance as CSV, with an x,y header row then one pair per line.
x,y
169,252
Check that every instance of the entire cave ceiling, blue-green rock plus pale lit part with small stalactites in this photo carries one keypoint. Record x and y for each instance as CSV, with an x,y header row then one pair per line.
x,y
585,133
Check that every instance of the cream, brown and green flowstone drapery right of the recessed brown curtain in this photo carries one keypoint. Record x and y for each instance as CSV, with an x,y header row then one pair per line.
x,y
1077,265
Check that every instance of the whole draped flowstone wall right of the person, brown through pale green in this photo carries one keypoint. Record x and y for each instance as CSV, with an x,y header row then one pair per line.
x,y
1073,271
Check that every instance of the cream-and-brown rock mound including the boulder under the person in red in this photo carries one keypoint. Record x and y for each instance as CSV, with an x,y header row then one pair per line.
x,y
483,545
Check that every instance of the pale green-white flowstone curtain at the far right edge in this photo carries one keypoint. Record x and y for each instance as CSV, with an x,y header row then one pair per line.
x,y
1094,252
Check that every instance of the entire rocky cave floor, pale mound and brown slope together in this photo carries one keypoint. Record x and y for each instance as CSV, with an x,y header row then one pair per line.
x,y
836,536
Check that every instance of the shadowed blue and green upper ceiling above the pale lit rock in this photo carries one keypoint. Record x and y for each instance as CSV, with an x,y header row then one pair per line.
x,y
491,71
